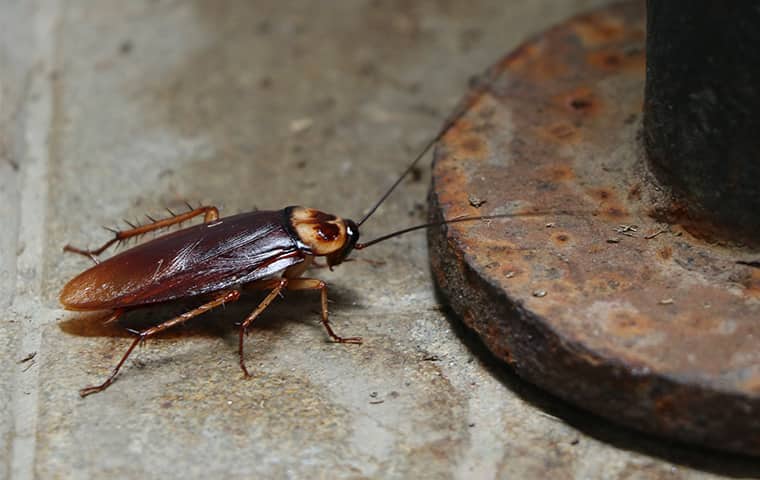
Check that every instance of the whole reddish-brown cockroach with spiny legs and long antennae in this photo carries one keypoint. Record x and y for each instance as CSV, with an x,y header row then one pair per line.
x,y
262,250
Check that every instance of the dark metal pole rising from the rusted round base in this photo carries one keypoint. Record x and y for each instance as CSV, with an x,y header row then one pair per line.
x,y
702,111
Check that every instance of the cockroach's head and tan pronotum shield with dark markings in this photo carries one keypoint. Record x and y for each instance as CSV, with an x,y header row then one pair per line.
x,y
325,235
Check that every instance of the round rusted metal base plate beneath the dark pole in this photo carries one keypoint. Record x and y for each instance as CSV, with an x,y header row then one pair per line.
x,y
586,293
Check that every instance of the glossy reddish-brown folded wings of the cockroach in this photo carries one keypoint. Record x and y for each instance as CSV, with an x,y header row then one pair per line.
x,y
199,259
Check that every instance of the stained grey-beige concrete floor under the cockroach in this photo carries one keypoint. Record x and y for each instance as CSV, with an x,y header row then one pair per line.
x,y
114,109
